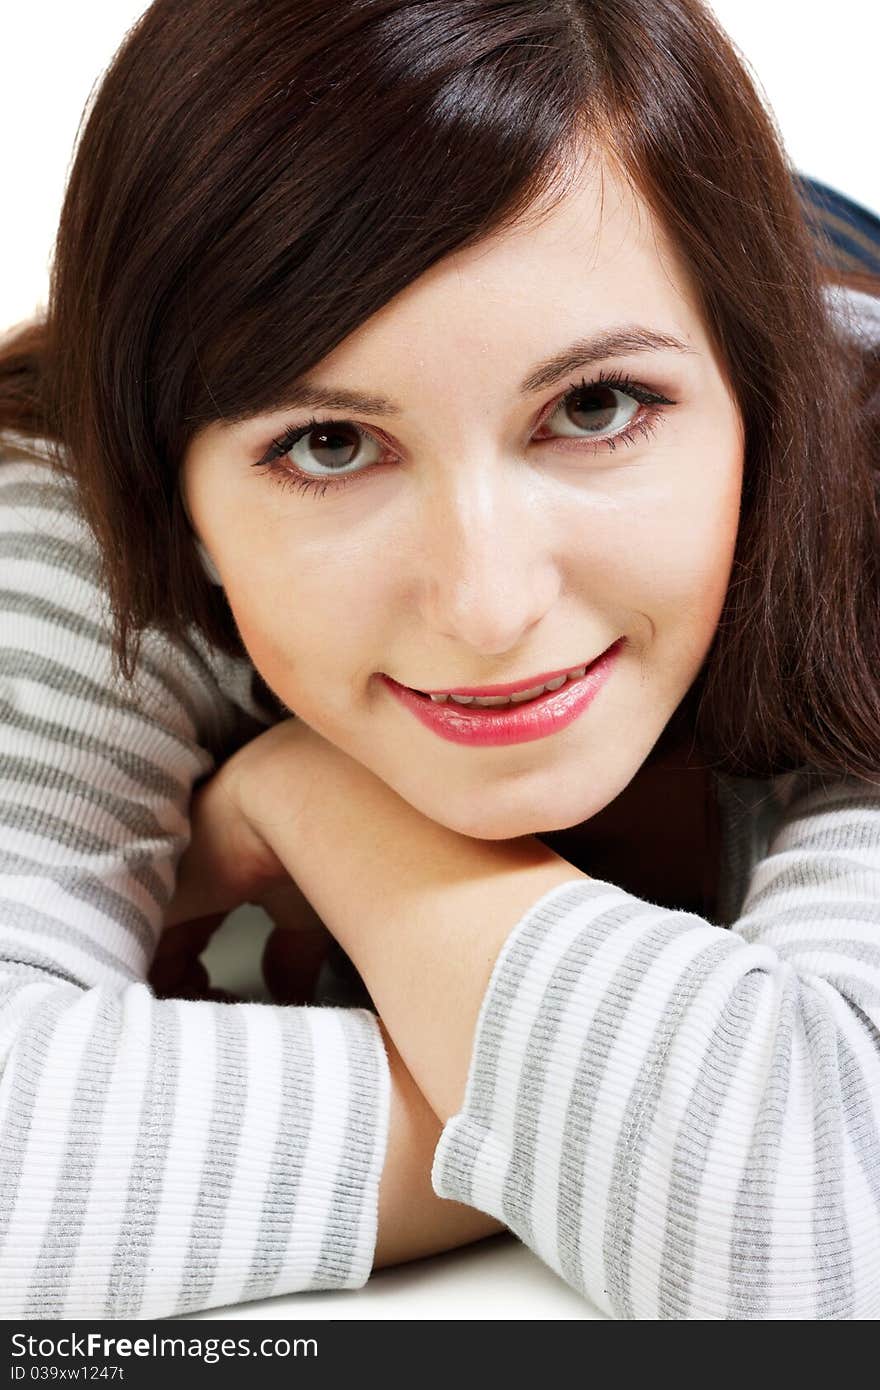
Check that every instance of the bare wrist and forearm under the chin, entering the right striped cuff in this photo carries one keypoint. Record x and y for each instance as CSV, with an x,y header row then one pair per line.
x,y
421,910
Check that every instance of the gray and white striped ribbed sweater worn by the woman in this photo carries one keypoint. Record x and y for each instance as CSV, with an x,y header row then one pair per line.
x,y
679,1117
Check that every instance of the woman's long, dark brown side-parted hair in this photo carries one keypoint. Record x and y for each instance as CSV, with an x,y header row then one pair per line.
x,y
255,181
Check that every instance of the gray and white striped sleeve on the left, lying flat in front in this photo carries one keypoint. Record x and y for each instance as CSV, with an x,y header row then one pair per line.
x,y
158,1157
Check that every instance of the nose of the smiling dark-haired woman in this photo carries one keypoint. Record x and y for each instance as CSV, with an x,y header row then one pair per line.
x,y
487,565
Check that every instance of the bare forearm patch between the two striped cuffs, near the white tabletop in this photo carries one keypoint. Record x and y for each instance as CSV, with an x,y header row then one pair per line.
x,y
412,1221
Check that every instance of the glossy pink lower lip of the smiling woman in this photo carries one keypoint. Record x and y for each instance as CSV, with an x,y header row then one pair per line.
x,y
489,728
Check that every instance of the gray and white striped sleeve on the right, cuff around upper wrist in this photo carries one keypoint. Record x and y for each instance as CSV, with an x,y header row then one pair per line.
x,y
683,1120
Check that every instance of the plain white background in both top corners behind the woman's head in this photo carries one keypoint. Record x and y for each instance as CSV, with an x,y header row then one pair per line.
x,y
817,65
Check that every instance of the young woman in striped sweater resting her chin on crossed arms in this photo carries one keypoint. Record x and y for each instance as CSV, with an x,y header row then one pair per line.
x,y
397,354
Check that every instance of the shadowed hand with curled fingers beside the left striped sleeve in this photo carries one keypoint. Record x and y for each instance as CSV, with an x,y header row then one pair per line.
x,y
226,865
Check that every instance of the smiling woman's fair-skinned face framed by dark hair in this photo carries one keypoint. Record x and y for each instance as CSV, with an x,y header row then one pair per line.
x,y
491,529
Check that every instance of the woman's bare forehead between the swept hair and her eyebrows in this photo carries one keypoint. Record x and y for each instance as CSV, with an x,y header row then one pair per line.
x,y
596,259
